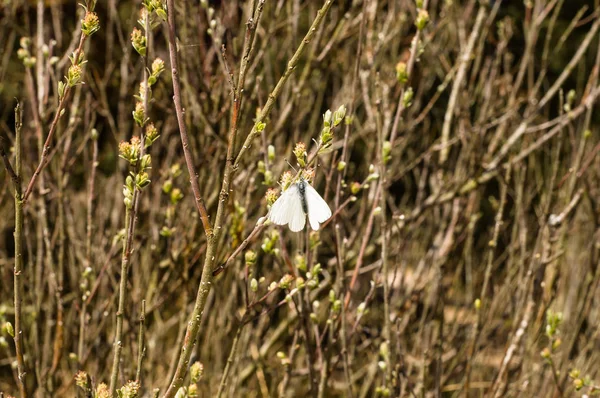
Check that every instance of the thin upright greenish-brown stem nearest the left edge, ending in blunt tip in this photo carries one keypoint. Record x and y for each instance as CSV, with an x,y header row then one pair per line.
x,y
18,270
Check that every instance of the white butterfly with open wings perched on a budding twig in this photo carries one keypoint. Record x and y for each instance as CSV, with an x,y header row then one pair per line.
x,y
297,202
